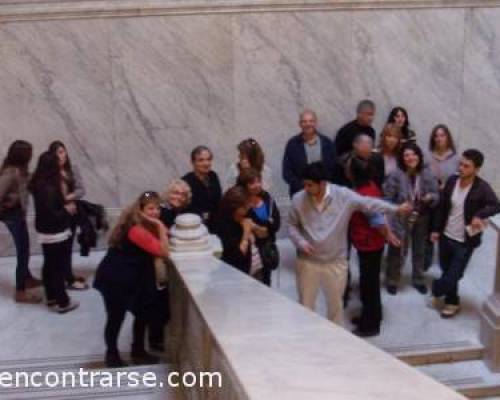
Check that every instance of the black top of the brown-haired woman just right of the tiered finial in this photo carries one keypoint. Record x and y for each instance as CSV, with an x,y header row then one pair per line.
x,y
230,233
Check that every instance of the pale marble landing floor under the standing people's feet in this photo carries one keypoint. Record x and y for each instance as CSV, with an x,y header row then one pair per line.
x,y
32,335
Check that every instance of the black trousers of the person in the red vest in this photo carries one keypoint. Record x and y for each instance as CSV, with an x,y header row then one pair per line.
x,y
369,285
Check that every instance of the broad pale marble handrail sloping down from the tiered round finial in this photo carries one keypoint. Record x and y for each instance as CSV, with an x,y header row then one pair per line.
x,y
269,347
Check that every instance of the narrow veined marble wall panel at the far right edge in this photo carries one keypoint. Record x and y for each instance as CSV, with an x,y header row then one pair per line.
x,y
481,105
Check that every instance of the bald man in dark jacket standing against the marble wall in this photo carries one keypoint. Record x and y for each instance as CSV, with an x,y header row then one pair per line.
x,y
305,148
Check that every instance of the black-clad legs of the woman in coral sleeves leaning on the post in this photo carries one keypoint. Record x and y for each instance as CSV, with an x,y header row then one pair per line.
x,y
116,311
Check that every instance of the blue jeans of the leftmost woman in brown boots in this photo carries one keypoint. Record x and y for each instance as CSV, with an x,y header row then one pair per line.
x,y
19,230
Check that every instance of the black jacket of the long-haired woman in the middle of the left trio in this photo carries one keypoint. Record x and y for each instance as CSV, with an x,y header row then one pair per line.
x,y
50,215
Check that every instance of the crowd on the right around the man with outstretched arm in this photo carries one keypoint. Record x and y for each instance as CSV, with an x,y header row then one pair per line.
x,y
348,193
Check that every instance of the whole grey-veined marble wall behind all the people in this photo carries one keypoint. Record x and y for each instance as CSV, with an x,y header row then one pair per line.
x,y
132,96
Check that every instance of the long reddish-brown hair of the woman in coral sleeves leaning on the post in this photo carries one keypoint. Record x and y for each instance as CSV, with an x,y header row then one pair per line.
x,y
131,216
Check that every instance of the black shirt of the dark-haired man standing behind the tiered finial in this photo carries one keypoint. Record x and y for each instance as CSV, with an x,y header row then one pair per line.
x,y
205,197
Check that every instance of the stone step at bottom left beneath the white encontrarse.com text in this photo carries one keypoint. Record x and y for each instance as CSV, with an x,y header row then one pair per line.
x,y
96,382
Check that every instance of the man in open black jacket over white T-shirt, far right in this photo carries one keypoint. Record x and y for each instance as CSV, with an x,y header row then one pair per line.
x,y
466,202
